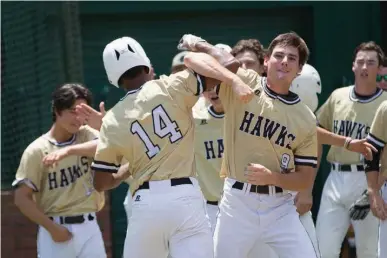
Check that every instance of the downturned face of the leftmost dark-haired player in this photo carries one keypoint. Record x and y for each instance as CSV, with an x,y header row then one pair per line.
x,y
68,118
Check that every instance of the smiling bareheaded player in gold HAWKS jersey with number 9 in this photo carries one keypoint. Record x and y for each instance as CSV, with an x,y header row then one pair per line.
x,y
278,151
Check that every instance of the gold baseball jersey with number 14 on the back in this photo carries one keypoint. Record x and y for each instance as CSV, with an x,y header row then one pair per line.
x,y
153,129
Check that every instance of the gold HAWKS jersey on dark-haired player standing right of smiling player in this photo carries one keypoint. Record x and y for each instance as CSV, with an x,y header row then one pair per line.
x,y
347,114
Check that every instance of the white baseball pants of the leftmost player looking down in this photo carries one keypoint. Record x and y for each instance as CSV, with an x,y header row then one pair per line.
x,y
87,241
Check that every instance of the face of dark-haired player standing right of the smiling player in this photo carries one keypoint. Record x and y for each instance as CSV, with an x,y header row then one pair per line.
x,y
366,66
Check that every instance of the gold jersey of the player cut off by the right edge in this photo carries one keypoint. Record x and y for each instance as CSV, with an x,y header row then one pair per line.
x,y
378,135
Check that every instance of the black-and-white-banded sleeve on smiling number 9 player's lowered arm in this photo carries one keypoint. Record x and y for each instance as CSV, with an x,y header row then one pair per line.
x,y
306,153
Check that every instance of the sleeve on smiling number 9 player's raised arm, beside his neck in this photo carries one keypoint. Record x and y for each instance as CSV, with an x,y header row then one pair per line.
x,y
225,92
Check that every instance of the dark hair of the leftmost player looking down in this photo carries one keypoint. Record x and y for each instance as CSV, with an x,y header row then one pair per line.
x,y
65,96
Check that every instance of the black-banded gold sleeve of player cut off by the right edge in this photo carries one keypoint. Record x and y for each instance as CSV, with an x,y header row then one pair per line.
x,y
377,137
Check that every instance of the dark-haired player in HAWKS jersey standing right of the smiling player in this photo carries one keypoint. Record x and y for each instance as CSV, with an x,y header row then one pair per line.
x,y
345,117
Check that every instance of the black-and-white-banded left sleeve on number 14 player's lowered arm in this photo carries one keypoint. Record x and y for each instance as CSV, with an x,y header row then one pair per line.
x,y
107,157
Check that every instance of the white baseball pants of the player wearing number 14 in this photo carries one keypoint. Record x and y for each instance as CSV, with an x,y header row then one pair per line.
x,y
169,220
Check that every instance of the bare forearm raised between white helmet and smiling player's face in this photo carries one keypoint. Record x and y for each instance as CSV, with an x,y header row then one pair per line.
x,y
208,66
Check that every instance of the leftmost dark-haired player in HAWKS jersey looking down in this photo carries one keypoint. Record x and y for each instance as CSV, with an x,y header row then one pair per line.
x,y
61,198
